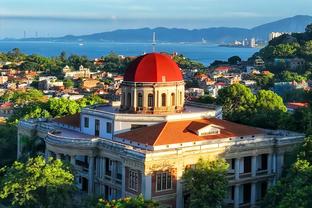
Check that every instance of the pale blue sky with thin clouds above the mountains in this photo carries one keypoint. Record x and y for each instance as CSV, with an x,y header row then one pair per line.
x,y
61,17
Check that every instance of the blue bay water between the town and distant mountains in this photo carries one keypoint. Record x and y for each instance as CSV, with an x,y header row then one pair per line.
x,y
203,53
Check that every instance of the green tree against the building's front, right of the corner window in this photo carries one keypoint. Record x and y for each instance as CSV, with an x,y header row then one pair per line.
x,y
206,183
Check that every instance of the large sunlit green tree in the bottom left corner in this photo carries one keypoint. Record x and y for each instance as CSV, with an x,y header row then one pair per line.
x,y
37,183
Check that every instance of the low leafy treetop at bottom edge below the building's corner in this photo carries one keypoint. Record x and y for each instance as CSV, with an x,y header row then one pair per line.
x,y
129,202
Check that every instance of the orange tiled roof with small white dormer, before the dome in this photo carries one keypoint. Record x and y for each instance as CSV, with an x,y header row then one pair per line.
x,y
183,131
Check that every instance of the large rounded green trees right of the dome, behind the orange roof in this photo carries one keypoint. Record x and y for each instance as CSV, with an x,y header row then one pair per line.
x,y
265,109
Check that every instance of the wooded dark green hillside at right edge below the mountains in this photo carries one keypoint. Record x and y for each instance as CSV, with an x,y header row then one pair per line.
x,y
287,46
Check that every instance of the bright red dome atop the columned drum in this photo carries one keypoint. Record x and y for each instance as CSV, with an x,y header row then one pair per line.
x,y
153,67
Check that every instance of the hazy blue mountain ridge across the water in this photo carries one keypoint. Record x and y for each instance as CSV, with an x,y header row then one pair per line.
x,y
211,35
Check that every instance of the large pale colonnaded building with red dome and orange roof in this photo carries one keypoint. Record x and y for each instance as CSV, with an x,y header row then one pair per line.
x,y
144,143
